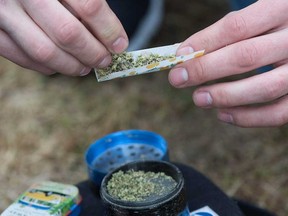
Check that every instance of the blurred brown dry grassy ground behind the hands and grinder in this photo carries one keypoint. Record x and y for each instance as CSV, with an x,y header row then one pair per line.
x,y
47,123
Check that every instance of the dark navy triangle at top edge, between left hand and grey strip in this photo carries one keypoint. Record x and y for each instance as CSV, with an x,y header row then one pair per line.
x,y
129,12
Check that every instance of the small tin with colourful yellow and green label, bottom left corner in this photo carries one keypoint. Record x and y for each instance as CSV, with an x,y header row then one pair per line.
x,y
45,199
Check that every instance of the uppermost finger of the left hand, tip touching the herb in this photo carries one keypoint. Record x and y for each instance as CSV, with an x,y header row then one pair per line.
x,y
103,23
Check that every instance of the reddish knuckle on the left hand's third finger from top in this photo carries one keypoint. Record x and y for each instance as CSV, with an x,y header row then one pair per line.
x,y
43,53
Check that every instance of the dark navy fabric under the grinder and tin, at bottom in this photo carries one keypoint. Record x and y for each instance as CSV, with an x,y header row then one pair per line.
x,y
200,192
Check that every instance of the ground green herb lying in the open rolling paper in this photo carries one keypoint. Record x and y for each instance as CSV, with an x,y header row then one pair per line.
x,y
124,61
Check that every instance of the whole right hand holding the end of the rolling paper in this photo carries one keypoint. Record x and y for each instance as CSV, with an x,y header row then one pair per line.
x,y
240,42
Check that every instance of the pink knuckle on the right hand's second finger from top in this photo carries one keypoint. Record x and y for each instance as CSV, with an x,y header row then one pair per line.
x,y
246,55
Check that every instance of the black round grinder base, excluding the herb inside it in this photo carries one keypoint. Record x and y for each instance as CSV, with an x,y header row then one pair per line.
x,y
172,204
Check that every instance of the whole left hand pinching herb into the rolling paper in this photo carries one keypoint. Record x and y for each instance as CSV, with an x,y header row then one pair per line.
x,y
69,37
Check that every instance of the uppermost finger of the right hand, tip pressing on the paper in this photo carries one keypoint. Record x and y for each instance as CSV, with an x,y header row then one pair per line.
x,y
254,20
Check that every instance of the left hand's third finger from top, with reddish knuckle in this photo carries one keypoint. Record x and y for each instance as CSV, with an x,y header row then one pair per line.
x,y
39,47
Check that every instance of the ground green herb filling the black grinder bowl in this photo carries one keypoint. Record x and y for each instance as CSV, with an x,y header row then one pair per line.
x,y
135,186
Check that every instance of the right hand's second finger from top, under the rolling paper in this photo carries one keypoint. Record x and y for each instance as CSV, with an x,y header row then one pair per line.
x,y
233,59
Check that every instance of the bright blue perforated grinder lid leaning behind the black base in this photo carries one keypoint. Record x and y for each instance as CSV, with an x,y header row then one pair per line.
x,y
118,148
